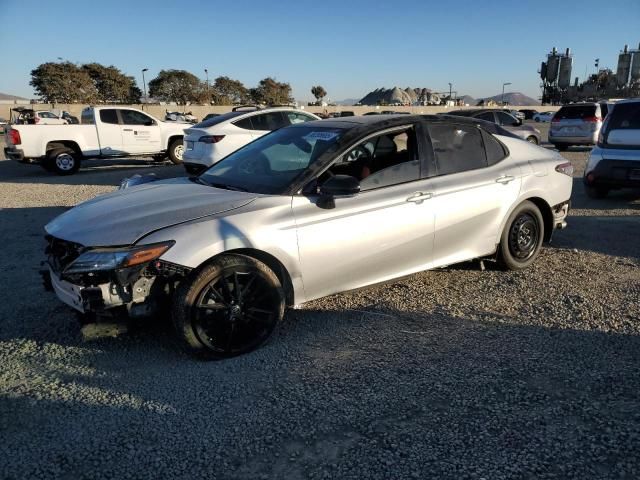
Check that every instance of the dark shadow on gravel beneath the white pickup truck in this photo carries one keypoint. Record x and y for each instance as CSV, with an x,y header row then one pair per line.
x,y
92,172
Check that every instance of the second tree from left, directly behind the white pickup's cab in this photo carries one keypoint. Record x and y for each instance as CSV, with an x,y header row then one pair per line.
x,y
112,85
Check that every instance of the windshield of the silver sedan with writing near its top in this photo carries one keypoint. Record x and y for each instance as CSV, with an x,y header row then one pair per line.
x,y
270,164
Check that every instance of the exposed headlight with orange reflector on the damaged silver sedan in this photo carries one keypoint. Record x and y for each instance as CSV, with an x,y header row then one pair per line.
x,y
104,259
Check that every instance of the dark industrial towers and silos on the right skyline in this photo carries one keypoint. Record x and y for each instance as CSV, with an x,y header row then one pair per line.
x,y
555,74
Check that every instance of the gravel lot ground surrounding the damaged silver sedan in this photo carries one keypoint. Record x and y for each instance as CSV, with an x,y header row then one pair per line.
x,y
450,374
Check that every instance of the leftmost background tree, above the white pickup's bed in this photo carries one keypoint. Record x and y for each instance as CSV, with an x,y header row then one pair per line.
x,y
63,82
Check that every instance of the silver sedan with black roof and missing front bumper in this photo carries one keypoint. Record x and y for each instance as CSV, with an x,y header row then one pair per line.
x,y
306,211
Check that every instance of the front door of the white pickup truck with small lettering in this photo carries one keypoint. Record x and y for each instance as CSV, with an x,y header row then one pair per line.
x,y
140,132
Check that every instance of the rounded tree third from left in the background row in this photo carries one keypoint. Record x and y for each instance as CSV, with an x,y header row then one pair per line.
x,y
177,86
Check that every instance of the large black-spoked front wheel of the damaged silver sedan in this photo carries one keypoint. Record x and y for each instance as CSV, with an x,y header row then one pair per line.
x,y
228,308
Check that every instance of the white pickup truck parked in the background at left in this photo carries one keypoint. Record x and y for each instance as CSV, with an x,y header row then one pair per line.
x,y
104,132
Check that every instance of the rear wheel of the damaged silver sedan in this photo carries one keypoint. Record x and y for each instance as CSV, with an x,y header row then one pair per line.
x,y
521,240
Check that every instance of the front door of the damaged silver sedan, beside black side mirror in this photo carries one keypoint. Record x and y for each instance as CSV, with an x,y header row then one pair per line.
x,y
383,232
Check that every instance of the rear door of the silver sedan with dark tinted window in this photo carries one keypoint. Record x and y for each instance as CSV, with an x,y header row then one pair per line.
x,y
471,197
